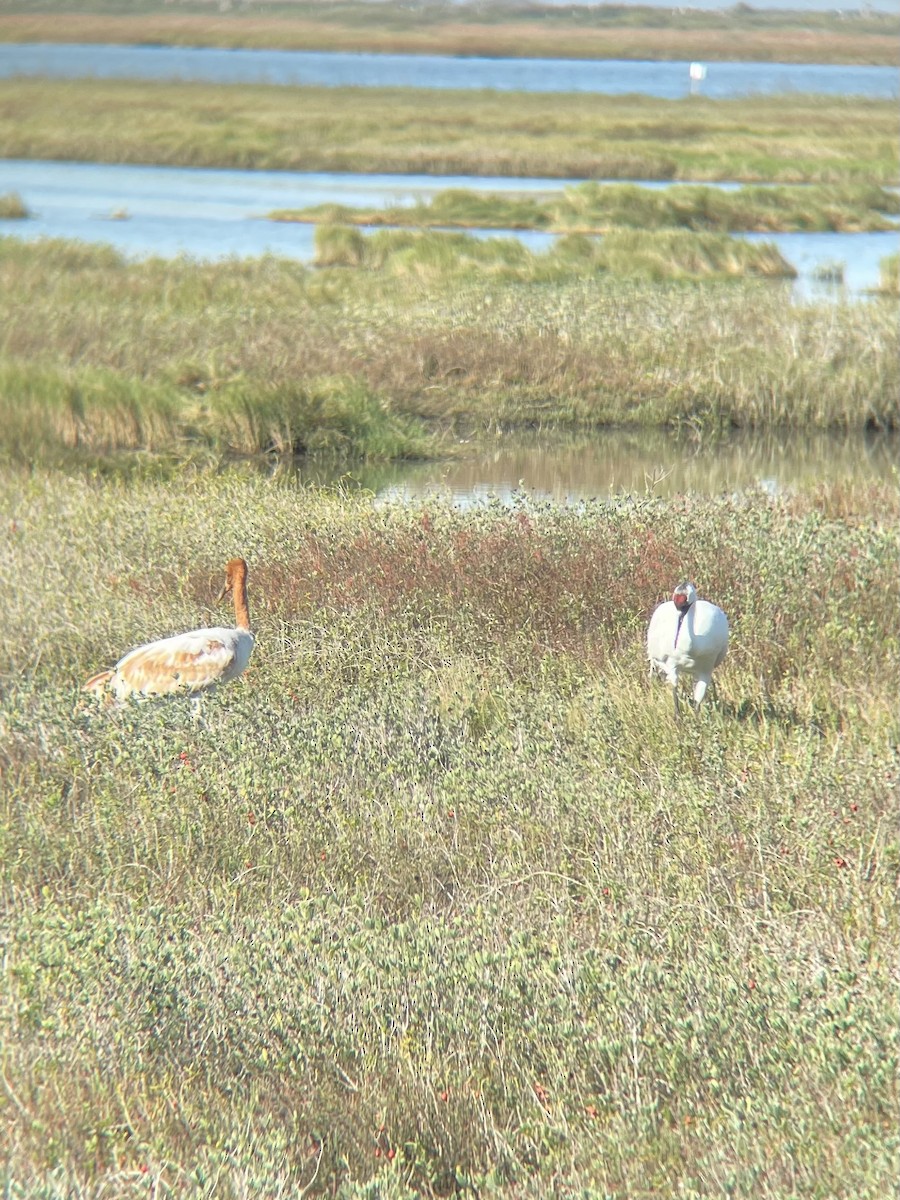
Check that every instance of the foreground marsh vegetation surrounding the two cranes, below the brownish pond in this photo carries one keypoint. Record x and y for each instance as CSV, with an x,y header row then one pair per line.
x,y
439,898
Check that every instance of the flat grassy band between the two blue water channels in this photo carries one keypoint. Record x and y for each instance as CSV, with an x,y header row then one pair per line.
x,y
760,139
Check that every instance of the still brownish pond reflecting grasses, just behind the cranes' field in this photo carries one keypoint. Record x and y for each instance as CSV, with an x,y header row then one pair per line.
x,y
603,465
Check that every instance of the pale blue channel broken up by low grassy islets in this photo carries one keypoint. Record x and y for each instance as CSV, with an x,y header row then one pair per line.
x,y
166,212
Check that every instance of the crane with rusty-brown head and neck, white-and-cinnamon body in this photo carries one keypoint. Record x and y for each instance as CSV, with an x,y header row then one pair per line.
x,y
188,663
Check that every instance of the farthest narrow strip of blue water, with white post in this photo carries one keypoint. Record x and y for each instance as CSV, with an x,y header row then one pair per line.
x,y
669,81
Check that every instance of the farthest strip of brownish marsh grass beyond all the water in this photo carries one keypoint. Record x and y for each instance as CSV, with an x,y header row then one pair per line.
x,y
579,32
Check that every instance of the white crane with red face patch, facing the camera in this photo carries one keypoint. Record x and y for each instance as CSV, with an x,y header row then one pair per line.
x,y
687,637
